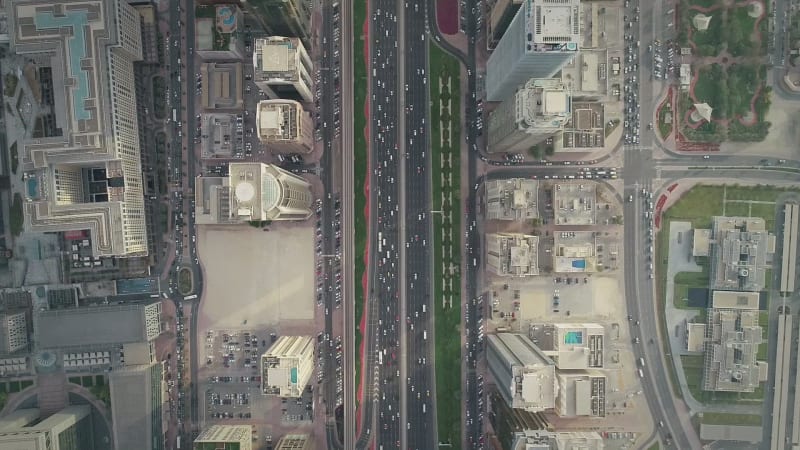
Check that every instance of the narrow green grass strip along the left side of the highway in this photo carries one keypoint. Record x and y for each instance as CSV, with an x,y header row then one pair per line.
x,y
359,168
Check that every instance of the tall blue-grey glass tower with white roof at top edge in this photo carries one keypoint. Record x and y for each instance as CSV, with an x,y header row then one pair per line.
x,y
543,36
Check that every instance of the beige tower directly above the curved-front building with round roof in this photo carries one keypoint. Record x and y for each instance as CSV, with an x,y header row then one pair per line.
x,y
284,126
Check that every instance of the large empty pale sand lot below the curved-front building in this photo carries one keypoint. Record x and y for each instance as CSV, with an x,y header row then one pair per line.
x,y
261,277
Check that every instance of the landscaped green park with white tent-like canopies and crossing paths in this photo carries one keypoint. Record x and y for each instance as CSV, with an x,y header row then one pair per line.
x,y
727,99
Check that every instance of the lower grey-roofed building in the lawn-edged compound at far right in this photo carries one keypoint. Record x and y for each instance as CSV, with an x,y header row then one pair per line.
x,y
733,335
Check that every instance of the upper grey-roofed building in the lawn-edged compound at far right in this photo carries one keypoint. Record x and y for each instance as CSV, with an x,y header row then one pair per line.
x,y
740,249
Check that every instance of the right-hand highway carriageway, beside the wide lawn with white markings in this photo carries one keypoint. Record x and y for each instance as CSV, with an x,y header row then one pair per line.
x,y
418,411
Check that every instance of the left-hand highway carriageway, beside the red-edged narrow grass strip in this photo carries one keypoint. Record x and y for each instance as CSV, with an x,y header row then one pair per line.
x,y
382,355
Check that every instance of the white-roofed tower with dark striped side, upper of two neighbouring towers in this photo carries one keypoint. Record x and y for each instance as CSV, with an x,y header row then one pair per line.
x,y
282,68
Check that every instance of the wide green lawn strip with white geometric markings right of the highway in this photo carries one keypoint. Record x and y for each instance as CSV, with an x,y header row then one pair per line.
x,y
447,283
